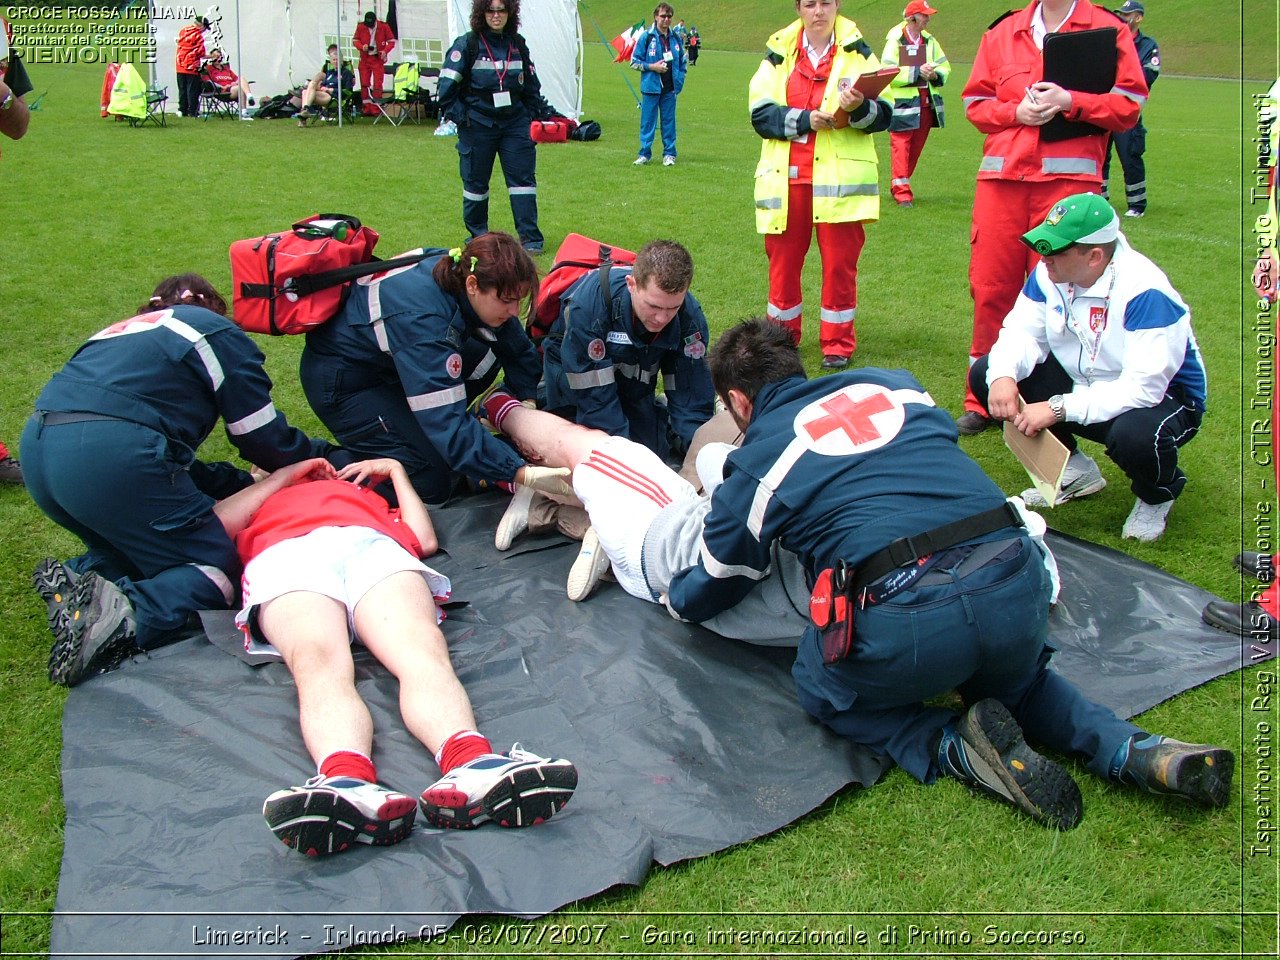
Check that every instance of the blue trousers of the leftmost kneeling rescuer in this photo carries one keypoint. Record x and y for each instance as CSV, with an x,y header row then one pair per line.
x,y
125,491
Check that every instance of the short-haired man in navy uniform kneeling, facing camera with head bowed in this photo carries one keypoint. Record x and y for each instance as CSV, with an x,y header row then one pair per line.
x,y
605,356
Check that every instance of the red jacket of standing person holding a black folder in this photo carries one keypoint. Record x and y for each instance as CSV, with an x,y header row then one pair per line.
x,y
1008,63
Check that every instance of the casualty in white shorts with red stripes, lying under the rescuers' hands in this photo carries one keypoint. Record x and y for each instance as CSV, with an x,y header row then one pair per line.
x,y
647,520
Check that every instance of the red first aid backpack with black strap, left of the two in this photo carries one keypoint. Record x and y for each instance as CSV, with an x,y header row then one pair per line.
x,y
291,282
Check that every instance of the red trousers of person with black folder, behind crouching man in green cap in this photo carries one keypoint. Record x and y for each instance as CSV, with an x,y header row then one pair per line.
x,y
999,262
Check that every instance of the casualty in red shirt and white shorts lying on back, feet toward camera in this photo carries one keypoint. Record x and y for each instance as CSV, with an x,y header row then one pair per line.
x,y
326,561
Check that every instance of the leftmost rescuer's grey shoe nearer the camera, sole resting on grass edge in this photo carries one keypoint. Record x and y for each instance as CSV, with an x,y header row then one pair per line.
x,y
95,636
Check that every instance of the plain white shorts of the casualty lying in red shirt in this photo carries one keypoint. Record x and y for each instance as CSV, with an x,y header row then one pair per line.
x,y
341,563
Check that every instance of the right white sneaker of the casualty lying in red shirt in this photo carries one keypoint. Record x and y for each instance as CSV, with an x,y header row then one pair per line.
x,y
516,789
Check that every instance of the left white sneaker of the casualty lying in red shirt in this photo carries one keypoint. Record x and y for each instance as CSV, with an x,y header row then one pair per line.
x,y
328,815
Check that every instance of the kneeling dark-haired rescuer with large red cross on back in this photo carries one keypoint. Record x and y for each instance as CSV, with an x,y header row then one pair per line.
x,y
861,476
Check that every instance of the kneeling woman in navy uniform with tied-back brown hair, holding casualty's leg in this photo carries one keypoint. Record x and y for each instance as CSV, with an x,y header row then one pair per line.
x,y
394,373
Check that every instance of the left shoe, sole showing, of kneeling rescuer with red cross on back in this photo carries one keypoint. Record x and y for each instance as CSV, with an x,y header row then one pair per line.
x,y
988,753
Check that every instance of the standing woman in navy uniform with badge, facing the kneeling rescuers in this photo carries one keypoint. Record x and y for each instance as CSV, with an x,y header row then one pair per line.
x,y
490,89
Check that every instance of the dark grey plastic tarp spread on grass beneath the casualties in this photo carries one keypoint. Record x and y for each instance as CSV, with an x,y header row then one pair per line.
x,y
687,744
